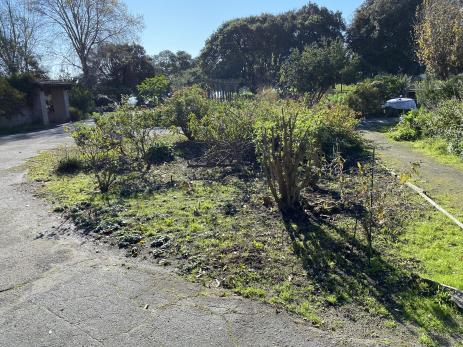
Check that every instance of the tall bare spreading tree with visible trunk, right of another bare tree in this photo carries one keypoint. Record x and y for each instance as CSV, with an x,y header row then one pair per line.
x,y
87,24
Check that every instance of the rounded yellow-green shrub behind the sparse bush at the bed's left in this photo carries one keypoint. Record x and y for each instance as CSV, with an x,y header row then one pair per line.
x,y
186,104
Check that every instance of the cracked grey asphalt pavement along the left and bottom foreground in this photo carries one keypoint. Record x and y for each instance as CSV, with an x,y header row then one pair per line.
x,y
65,291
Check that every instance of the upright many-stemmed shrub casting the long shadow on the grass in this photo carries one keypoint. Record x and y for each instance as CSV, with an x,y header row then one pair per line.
x,y
289,157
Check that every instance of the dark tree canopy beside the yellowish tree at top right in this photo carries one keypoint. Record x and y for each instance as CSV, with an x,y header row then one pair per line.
x,y
381,33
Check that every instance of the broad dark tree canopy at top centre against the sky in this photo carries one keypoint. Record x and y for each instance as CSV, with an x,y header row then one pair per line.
x,y
252,49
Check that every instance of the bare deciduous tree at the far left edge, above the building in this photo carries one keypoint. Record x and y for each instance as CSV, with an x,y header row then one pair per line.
x,y
18,37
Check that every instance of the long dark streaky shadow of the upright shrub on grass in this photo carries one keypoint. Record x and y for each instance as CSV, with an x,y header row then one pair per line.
x,y
341,266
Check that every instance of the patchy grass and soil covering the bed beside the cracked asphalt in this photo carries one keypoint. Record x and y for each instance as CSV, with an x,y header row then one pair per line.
x,y
213,225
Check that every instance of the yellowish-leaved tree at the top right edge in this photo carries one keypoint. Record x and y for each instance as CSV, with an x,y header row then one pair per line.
x,y
439,36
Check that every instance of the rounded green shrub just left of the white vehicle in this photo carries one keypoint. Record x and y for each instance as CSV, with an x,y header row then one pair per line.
x,y
369,96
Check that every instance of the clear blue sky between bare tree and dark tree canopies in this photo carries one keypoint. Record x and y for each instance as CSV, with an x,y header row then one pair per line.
x,y
186,24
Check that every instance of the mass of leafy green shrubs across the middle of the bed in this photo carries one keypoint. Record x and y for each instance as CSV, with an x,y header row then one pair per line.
x,y
286,137
